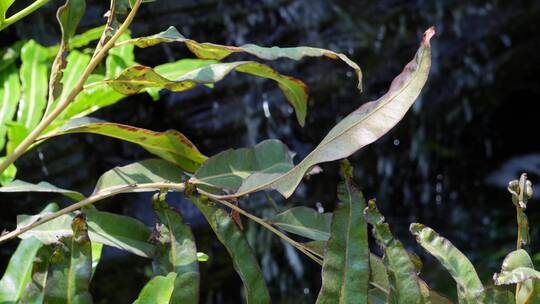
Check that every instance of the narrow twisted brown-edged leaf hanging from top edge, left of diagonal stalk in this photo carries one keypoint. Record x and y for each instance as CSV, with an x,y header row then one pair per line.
x,y
68,16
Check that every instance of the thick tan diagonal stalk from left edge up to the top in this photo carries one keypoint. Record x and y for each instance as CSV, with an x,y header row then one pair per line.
x,y
47,120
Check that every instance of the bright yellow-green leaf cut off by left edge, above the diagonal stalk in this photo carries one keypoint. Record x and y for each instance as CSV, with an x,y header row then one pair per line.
x,y
10,91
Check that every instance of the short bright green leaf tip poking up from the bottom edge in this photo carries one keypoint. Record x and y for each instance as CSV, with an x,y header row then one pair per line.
x,y
158,290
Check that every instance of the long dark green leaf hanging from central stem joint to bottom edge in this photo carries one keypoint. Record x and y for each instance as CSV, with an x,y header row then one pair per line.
x,y
233,239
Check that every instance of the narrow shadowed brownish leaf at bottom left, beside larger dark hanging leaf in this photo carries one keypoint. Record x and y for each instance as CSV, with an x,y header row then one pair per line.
x,y
35,291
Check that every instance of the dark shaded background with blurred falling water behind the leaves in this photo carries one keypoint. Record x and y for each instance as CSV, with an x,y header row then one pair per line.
x,y
445,165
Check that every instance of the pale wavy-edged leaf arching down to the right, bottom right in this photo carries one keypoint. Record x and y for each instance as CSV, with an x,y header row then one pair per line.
x,y
469,286
